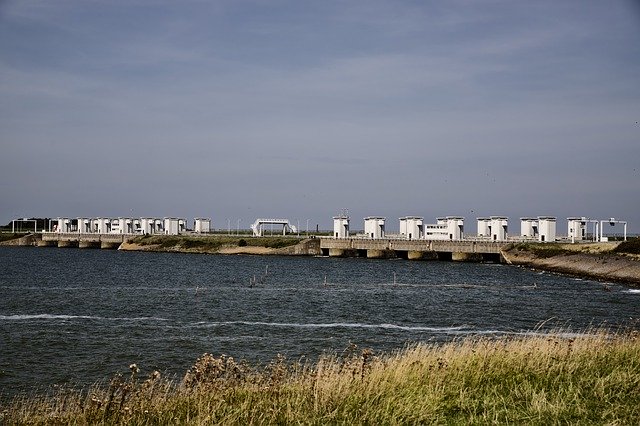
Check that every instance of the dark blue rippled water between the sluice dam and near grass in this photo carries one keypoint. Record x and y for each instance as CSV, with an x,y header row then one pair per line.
x,y
72,316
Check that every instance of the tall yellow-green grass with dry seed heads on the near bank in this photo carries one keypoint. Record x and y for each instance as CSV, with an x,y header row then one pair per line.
x,y
590,379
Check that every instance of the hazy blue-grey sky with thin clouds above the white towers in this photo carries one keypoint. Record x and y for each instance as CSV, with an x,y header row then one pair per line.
x,y
239,109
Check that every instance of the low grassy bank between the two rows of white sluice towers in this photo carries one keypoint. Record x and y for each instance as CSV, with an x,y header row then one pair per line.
x,y
213,242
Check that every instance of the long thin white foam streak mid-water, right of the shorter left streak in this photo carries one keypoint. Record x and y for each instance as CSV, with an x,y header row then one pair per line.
x,y
332,325
